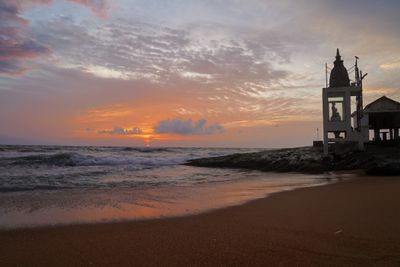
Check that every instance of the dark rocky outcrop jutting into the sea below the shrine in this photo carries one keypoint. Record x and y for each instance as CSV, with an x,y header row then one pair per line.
x,y
375,160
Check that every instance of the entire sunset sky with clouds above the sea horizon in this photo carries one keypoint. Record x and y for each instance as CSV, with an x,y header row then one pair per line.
x,y
184,73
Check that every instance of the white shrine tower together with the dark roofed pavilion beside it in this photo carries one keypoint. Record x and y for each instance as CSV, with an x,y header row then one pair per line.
x,y
347,125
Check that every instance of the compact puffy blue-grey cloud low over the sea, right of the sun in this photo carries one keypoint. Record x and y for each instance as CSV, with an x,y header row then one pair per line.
x,y
187,127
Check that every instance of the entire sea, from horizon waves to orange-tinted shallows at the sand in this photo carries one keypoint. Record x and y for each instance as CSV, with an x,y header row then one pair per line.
x,y
57,185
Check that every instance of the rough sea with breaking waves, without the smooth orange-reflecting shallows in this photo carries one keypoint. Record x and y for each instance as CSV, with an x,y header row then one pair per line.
x,y
34,168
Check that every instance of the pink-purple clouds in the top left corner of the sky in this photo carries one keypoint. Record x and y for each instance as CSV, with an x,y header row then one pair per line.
x,y
16,45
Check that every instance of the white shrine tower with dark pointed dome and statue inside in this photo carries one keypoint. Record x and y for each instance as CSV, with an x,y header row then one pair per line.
x,y
337,96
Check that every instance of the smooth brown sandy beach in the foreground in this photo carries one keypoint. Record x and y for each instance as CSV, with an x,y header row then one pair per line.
x,y
350,223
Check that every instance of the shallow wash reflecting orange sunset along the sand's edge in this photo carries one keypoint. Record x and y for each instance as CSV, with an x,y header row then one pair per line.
x,y
133,203
